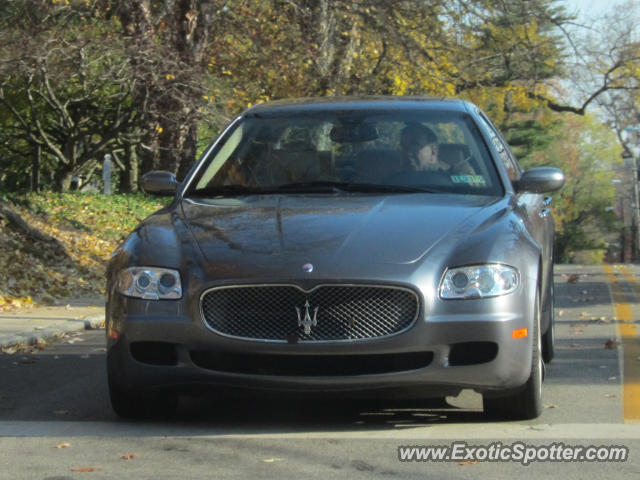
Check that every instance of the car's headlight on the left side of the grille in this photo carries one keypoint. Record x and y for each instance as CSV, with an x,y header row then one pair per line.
x,y
150,283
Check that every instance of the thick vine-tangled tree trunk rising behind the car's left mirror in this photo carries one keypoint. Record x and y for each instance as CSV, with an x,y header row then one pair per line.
x,y
168,50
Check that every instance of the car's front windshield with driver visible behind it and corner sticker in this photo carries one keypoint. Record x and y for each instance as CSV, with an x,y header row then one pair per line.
x,y
352,151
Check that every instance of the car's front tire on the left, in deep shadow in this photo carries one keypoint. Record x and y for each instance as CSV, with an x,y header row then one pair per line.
x,y
132,406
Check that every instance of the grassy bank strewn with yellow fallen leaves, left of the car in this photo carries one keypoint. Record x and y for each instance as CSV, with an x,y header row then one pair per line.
x,y
90,226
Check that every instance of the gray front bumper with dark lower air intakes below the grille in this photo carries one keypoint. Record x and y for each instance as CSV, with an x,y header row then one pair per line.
x,y
461,344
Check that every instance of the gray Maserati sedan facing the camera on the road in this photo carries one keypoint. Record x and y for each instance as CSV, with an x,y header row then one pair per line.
x,y
340,246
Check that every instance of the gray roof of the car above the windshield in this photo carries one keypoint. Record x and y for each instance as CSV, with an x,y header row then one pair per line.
x,y
319,104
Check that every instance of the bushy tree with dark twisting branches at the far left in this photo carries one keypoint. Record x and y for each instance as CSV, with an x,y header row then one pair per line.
x,y
62,94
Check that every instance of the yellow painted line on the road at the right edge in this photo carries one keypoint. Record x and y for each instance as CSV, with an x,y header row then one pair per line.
x,y
629,336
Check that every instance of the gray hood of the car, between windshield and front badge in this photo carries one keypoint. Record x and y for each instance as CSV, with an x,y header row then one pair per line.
x,y
382,228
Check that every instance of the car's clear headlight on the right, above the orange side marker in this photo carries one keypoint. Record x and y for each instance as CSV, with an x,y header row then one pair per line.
x,y
479,281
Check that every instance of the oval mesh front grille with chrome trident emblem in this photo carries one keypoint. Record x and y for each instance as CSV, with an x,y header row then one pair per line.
x,y
344,312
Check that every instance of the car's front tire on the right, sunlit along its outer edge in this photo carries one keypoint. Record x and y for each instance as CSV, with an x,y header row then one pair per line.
x,y
526,403
